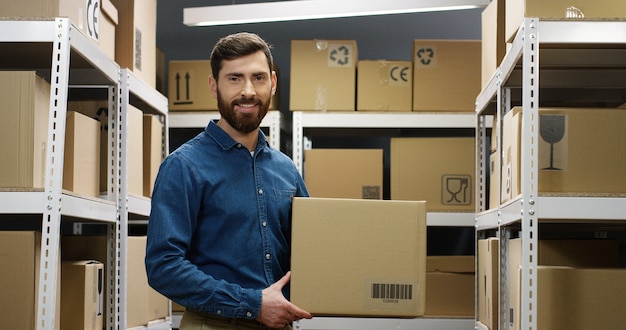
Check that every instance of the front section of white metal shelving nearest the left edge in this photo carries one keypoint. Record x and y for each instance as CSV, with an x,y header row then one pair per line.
x,y
60,42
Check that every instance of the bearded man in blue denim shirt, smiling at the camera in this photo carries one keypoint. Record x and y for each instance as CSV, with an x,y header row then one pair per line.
x,y
220,227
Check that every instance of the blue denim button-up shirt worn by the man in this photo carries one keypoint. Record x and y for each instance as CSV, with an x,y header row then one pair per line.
x,y
220,225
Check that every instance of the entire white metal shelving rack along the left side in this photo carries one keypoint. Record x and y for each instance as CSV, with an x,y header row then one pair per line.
x,y
71,61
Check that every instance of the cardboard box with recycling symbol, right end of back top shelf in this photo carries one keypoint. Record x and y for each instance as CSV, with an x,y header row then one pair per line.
x,y
446,75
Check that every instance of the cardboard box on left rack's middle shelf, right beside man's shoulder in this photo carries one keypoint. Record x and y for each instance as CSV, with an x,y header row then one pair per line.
x,y
153,150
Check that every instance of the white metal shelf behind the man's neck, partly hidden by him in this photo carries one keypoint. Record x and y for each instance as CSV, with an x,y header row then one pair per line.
x,y
273,121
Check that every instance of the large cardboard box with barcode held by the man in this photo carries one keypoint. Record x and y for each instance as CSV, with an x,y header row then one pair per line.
x,y
356,257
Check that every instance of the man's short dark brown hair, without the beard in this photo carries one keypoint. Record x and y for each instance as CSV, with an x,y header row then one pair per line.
x,y
237,45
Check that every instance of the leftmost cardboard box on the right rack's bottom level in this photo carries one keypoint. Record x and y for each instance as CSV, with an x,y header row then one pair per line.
x,y
488,274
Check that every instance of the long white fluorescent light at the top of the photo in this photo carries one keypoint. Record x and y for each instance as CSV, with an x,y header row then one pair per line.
x,y
315,9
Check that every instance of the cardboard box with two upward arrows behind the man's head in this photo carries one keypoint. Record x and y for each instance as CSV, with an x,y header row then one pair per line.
x,y
189,90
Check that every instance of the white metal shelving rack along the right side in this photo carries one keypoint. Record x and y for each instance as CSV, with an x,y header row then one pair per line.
x,y
581,61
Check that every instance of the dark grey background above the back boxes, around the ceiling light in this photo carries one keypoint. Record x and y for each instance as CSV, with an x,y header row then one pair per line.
x,y
378,37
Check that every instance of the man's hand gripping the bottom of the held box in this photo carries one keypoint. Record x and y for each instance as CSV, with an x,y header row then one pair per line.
x,y
276,311
